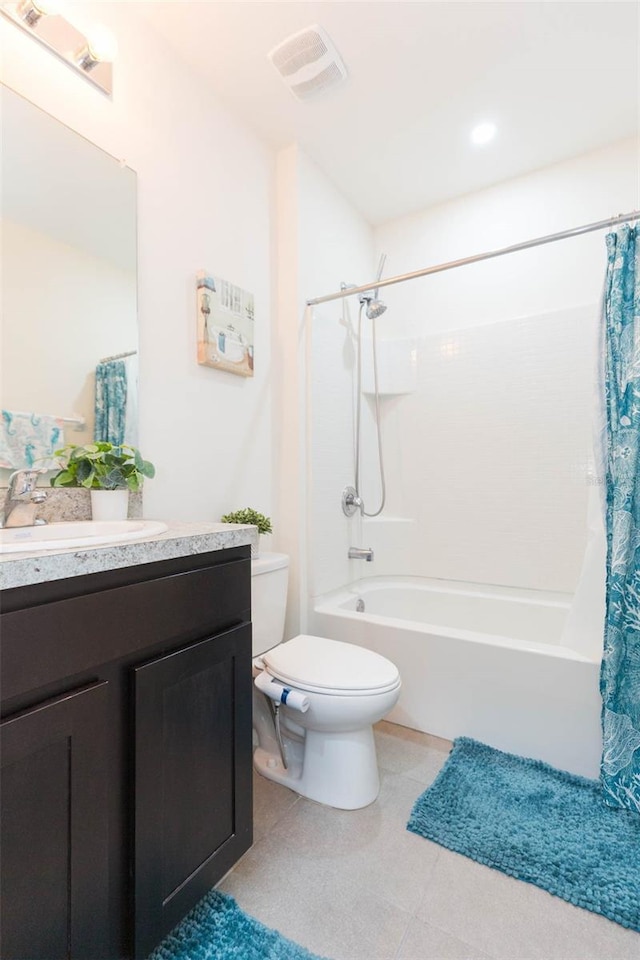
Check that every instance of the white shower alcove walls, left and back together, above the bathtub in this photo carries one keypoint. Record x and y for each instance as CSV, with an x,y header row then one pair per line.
x,y
488,371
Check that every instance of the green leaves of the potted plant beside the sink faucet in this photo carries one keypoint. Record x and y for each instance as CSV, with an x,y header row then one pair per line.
x,y
101,466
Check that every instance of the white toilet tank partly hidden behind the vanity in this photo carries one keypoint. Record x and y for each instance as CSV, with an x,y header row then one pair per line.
x,y
269,580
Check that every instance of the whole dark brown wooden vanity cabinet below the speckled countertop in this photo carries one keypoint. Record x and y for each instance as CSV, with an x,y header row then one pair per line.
x,y
126,753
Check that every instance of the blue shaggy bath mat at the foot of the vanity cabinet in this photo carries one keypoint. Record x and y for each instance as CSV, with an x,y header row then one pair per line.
x,y
217,929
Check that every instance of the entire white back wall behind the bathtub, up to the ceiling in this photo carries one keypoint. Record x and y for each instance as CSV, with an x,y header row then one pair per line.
x,y
489,457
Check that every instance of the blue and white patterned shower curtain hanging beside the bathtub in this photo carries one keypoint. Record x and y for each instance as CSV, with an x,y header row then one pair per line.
x,y
620,676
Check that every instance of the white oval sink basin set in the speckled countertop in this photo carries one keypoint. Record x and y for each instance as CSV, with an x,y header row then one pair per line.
x,y
76,533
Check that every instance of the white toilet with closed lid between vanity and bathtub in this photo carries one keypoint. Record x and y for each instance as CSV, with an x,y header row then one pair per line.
x,y
315,701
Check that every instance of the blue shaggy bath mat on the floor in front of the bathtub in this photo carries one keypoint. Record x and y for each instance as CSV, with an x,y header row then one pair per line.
x,y
537,824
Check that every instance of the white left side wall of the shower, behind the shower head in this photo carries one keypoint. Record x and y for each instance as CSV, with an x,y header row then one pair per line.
x,y
339,249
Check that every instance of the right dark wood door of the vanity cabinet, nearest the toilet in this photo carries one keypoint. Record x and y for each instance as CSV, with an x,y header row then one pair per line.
x,y
193,793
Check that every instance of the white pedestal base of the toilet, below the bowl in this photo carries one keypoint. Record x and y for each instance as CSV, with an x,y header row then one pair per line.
x,y
337,769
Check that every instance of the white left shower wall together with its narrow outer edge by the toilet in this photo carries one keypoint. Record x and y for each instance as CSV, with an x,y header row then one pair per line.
x,y
322,242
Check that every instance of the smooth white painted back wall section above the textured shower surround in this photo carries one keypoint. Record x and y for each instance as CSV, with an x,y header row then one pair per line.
x,y
591,187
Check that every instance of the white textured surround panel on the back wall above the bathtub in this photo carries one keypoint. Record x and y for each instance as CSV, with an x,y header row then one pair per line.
x,y
488,457
